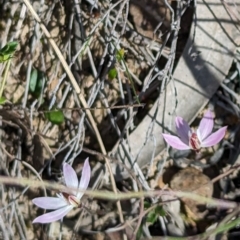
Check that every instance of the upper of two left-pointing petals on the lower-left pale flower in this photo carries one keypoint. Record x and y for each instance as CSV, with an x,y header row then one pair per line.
x,y
49,202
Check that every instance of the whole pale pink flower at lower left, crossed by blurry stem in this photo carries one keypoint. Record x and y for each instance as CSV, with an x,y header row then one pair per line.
x,y
66,201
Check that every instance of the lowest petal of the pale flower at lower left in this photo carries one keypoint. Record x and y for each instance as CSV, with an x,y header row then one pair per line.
x,y
53,216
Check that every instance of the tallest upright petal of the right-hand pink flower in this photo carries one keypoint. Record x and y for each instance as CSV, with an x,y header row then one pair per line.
x,y
205,126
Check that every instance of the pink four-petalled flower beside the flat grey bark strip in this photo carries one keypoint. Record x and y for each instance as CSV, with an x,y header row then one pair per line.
x,y
202,137
